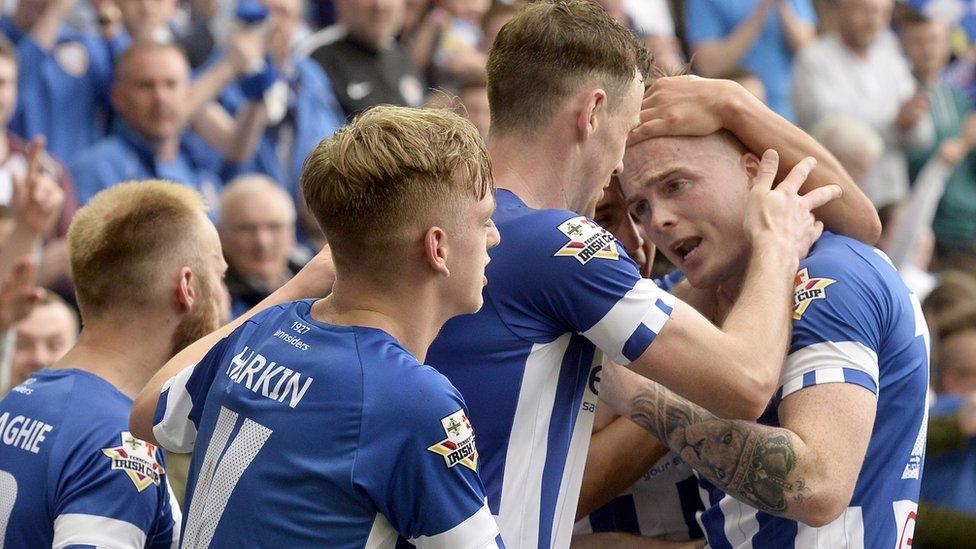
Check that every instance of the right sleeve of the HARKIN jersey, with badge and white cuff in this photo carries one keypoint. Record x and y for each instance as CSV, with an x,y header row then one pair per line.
x,y
420,472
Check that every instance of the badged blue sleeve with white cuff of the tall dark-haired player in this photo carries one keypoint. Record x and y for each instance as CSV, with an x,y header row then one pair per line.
x,y
583,282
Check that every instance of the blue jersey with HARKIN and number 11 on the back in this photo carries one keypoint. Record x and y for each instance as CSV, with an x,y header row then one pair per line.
x,y
309,434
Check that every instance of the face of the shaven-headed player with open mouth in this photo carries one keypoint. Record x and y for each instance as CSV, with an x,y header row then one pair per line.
x,y
689,195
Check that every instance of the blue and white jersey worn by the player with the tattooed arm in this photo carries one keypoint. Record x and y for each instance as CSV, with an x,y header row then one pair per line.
x,y
854,321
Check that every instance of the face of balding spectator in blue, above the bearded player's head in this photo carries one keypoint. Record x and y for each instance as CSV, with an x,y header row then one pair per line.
x,y
153,93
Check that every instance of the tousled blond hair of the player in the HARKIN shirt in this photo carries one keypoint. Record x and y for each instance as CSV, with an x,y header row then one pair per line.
x,y
371,182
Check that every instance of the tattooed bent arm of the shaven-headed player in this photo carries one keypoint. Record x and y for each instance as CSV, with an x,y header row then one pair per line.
x,y
805,470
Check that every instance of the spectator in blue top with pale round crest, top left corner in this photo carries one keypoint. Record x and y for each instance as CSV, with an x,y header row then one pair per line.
x,y
67,81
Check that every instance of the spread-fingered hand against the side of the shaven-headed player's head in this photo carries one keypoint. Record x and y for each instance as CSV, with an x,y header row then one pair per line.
x,y
782,214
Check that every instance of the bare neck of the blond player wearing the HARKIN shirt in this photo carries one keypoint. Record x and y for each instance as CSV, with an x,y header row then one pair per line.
x,y
412,320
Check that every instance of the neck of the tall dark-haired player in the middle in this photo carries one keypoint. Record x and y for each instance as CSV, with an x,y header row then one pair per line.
x,y
536,173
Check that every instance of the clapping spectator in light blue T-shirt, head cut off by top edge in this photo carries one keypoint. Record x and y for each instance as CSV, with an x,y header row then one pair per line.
x,y
760,35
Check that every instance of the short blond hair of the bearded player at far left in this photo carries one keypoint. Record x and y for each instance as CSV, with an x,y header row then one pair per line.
x,y
119,241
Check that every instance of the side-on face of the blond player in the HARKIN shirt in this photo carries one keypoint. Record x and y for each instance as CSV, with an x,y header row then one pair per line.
x,y
476,234
